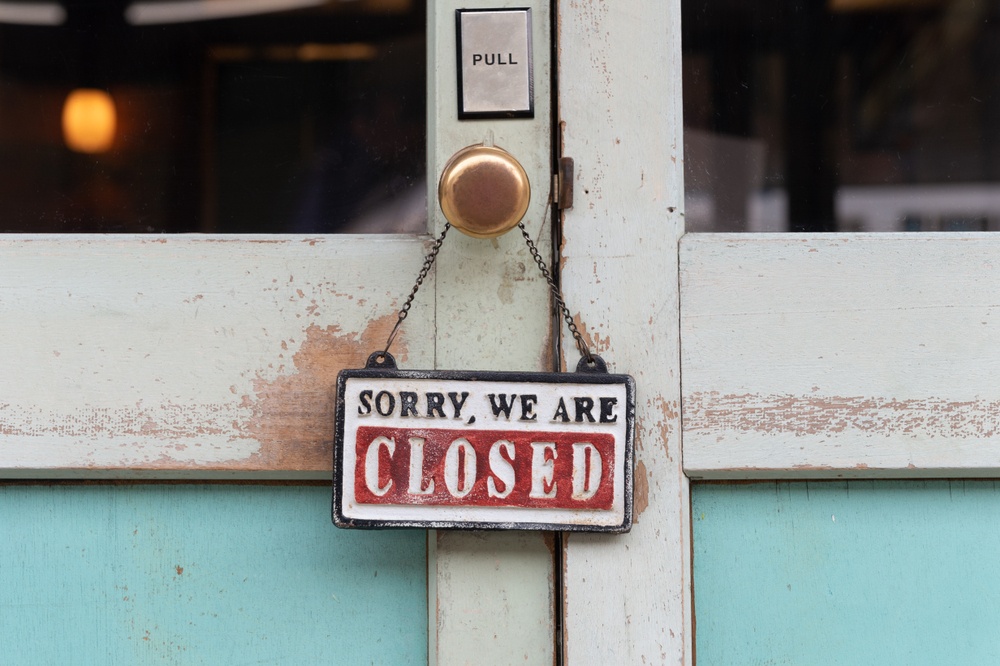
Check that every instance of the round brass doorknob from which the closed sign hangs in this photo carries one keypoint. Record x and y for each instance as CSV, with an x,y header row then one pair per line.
x,y
483,191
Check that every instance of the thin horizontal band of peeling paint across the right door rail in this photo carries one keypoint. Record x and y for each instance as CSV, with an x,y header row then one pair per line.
x,y
810,415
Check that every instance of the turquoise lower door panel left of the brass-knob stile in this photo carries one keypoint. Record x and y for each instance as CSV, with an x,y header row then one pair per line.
x,y
221,575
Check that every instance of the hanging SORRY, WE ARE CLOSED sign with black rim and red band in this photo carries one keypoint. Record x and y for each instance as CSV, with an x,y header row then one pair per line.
x,y
483,450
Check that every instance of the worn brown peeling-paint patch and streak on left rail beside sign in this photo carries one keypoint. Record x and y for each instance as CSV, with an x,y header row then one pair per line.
x,y
287,424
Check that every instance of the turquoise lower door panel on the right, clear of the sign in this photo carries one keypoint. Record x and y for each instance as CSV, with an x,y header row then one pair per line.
x,y
855,572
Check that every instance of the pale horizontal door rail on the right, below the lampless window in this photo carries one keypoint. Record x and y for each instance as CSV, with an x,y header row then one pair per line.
x,y
841,355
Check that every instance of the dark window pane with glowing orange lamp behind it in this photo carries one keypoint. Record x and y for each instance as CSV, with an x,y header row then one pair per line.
x,y
226,116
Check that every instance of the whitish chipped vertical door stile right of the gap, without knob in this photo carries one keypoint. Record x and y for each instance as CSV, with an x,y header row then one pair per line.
x,y
627,598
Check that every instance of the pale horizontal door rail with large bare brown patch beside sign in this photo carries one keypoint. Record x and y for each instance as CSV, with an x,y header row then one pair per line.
x,y
131,356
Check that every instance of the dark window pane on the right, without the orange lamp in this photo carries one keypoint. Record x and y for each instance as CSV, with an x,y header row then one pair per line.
x,y
848,115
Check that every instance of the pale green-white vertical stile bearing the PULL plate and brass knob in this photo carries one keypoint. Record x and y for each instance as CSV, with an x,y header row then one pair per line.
x,y
491,593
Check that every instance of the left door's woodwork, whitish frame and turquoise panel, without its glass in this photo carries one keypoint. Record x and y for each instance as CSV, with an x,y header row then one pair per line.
x,y
205,365
